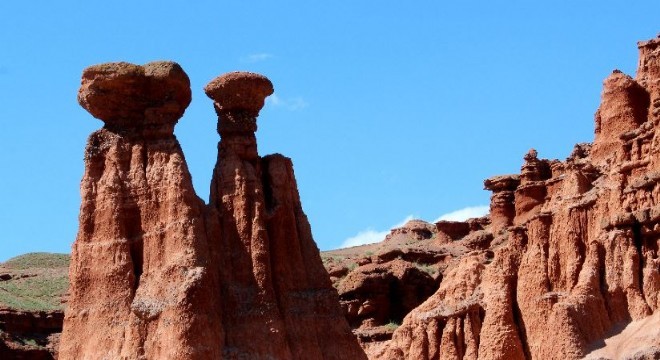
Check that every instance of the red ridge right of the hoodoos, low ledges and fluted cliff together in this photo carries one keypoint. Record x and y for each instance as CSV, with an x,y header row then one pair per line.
x,y
566,265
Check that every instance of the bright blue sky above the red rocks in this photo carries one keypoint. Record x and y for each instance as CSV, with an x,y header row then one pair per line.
x,y
388,108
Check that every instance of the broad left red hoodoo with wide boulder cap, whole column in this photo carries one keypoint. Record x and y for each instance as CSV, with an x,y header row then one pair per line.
x,y
140,285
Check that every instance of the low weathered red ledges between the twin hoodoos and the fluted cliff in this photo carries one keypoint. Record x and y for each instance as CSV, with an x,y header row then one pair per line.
x,y
379,284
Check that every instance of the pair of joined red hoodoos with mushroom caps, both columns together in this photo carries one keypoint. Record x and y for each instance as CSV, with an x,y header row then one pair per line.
x,y
158,274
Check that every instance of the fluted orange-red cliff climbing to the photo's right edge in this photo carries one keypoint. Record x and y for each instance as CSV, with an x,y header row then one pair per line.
x,y
576,249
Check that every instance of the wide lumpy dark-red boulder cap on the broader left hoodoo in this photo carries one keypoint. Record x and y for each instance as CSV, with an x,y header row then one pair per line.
x,y
126,95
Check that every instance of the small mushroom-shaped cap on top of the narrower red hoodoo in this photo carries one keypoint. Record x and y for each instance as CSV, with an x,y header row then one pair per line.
x,y
239,90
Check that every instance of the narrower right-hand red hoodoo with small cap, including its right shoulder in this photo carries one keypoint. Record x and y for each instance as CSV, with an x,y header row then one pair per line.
x,y
283,304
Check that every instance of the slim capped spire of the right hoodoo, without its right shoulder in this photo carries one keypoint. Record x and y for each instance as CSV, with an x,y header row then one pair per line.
x,y
238,218
